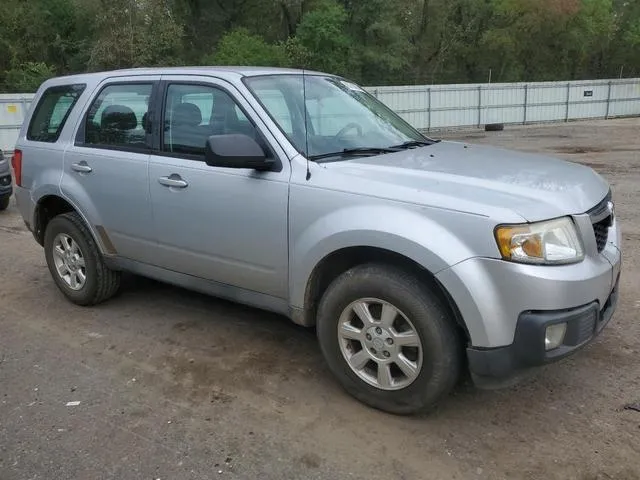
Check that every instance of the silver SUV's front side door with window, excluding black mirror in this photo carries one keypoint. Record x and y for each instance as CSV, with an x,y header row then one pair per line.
x,y
223,224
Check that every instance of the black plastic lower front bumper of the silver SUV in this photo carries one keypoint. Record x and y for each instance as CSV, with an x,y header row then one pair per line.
x,y
528,348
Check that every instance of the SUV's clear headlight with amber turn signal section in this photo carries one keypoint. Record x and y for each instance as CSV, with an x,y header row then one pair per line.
x,y
545,243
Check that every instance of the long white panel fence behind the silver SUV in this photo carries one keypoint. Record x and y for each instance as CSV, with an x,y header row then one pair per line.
x,y
430,107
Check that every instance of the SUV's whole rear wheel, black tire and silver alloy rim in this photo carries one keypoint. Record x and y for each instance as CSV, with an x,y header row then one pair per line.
x,y
75,262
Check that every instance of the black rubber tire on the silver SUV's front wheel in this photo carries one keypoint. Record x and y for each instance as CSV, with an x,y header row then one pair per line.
x,y
441,348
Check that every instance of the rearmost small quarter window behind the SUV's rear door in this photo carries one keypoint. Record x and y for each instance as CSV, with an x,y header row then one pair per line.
x,y
52,111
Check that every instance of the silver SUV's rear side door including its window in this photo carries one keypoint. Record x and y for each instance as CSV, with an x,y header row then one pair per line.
x,y
106,168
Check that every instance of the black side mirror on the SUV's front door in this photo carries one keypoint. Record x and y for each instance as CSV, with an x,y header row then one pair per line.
x,y
235,151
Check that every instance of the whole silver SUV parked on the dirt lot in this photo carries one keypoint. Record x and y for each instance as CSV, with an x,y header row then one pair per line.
x,y
298,192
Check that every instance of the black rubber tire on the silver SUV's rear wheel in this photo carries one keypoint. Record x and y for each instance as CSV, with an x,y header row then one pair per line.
x,y
101,283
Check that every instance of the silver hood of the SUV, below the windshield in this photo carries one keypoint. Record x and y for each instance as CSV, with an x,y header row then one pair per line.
x,y
475,178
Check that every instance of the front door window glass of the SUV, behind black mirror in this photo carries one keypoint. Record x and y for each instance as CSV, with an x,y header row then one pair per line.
x,y
193,113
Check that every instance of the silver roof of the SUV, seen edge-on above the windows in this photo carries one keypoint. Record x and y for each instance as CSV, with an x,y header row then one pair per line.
x,y
219,71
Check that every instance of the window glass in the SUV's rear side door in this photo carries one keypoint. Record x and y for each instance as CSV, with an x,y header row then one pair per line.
x,y
117,117
